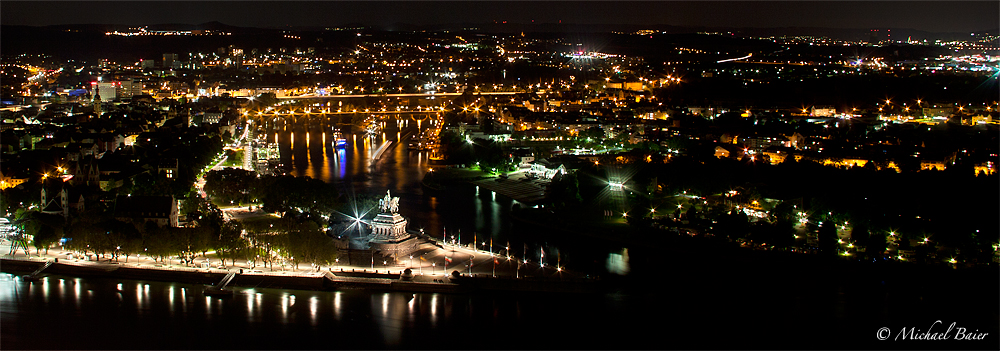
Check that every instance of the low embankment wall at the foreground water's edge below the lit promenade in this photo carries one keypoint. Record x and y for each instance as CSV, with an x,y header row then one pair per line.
x,y
325,280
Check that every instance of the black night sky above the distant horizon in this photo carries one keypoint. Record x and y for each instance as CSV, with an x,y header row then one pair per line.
x,y
934,16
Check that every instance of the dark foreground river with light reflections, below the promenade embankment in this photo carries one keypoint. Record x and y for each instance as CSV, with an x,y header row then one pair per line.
x,y
671,311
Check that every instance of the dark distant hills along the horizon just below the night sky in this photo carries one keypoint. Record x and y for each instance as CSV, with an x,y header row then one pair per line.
x,y
88,41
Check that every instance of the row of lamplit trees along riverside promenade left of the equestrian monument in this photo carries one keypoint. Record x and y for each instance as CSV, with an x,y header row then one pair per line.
x,y
283,240
